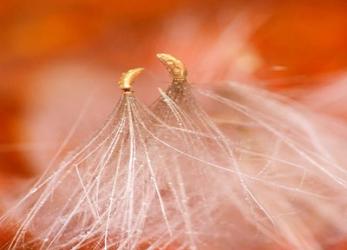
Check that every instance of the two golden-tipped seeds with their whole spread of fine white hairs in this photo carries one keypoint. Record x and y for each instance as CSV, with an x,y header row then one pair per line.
x,y
263,173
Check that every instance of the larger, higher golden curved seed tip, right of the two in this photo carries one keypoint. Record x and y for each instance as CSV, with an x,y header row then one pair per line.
x,y
175,67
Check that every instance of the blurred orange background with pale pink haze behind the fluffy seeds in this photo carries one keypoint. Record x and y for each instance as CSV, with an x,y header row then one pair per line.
x,y
61,59
